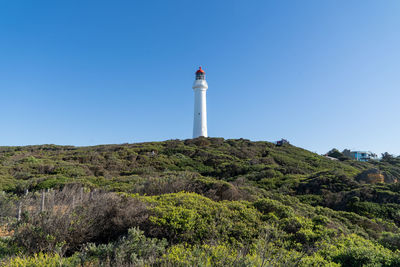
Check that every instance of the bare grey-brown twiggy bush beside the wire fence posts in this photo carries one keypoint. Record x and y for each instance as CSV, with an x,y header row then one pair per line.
x,y
73,217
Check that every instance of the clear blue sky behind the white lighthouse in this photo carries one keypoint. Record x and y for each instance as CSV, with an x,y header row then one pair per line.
x,y
322,74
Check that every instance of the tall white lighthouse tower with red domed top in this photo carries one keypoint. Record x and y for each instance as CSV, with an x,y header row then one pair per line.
x,y
200,87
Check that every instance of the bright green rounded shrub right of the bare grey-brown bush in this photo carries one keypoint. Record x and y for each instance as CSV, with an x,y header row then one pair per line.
x,y
188,217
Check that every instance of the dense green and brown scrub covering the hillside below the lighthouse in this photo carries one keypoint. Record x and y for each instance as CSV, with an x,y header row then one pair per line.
x,y
197,202
